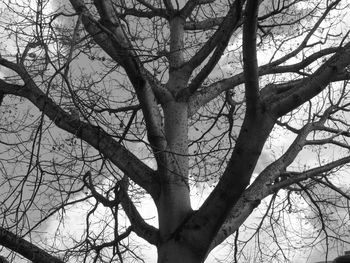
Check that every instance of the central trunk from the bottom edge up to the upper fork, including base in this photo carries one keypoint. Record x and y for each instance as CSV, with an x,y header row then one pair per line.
x,y
174,200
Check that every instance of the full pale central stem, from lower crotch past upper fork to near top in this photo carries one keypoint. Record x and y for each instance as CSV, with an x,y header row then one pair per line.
x,y
174,200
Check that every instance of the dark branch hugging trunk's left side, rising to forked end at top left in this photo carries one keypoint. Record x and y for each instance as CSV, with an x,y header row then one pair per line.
x,y
112,39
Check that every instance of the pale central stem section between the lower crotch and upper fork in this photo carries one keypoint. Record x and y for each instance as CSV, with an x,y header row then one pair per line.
x,y
174,201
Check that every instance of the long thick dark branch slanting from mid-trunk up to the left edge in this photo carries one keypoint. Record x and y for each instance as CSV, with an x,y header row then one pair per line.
x,y
94,135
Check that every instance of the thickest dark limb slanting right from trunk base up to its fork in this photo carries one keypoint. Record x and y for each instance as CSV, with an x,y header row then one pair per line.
x,y
203,226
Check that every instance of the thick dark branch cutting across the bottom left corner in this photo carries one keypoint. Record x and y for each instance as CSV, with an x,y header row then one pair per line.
x,y
25,248
